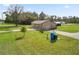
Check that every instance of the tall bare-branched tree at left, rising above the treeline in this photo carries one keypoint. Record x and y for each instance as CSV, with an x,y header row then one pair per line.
x,y
14,11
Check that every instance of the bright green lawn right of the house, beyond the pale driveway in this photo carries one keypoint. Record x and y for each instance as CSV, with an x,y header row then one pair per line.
x,y
69,28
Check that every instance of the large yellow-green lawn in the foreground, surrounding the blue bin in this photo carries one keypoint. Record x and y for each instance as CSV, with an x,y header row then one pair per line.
x,y
35,42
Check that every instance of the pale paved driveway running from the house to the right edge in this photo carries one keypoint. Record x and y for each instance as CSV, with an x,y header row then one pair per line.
x,y
73,35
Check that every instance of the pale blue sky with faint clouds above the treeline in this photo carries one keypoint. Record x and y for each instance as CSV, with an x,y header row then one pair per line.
x,y
49,9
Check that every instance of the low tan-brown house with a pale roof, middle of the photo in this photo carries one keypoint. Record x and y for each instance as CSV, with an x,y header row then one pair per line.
x,y
43,25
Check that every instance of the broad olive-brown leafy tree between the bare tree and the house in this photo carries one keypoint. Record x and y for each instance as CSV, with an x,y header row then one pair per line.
x,y
28,17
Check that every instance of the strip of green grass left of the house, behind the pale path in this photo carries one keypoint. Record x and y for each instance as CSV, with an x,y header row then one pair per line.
x,y
6,27
